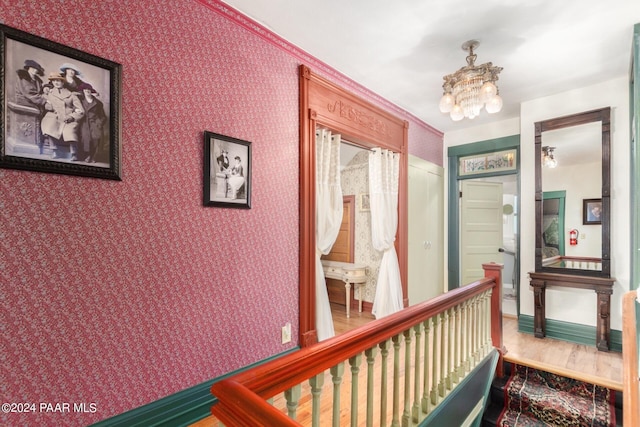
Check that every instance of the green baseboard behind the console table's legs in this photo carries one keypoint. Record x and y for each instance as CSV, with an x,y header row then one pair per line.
x,y
572,332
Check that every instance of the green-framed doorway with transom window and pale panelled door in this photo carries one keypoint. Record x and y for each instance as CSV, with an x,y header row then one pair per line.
x,y
494,185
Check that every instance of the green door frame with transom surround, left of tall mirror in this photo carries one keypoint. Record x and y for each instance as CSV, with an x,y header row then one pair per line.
x,y
453,216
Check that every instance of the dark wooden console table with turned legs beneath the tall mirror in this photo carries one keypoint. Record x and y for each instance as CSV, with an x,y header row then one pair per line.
x,y
603,286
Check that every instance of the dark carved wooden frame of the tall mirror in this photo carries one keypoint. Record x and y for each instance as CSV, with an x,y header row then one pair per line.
x,y
602,115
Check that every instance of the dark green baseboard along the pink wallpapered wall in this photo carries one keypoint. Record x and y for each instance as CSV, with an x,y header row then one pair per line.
x,y
180,409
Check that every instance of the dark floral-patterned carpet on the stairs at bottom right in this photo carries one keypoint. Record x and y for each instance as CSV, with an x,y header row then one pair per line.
x,y
538,398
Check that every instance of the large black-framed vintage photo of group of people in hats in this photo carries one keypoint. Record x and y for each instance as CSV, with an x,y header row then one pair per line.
x,y
60,108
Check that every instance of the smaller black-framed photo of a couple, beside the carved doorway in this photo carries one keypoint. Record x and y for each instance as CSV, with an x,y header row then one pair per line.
x,y
227,171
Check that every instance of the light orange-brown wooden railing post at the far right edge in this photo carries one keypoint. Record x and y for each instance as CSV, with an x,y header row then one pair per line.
x,y
631,384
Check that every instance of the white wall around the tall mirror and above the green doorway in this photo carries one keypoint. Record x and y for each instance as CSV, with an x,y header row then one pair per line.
x,y
569,305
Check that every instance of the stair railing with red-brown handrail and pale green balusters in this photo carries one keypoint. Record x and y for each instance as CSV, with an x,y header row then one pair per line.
x,y
473,318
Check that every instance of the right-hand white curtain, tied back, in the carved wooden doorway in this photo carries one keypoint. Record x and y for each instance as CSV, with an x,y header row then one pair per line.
x,y
384,168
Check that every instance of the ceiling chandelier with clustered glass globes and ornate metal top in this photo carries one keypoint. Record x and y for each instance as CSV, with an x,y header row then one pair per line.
x,y
471,87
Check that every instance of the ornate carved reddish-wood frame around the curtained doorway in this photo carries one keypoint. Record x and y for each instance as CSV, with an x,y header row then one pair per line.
x,y
323,103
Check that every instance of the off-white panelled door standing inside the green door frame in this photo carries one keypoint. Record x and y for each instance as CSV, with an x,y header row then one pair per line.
x,y
480,227
